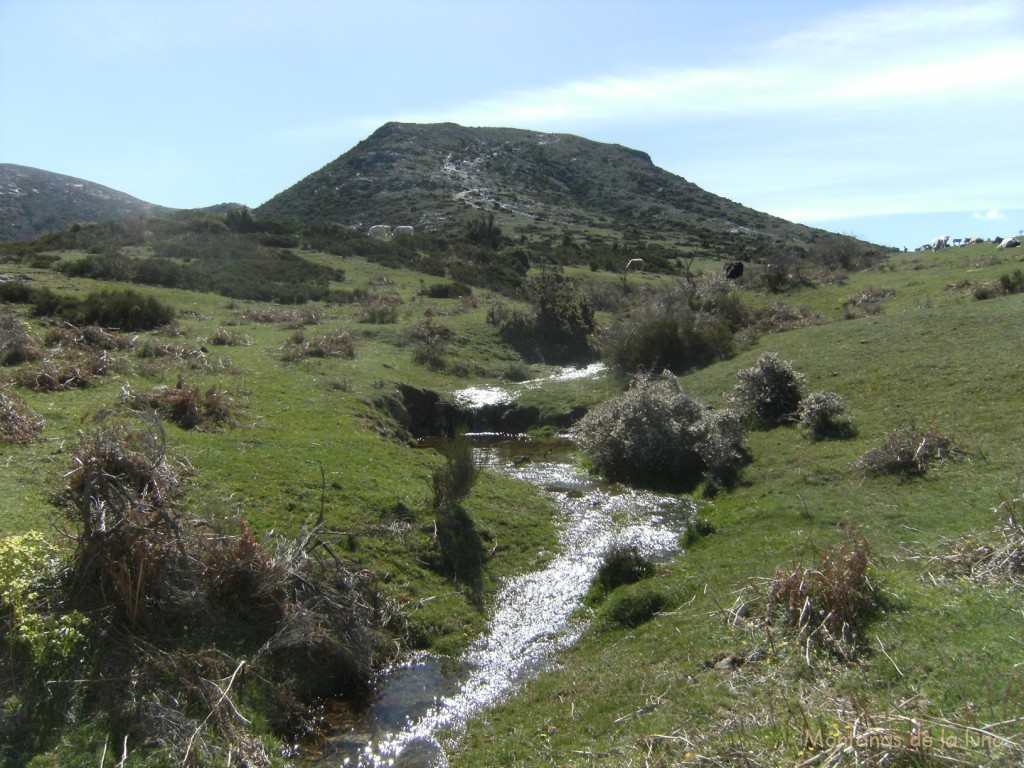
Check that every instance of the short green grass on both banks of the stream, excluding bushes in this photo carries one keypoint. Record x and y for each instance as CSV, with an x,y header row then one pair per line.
x,y
938,679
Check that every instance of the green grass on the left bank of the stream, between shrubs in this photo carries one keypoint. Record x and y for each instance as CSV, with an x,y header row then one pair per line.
x,y
295,418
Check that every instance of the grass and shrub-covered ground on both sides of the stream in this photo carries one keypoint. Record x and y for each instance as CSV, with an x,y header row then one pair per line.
x,y
216,517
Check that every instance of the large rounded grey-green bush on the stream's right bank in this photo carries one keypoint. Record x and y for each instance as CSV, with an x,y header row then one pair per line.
x,y
657,435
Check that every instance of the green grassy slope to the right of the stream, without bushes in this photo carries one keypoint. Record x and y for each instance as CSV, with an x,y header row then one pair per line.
x,y
649,696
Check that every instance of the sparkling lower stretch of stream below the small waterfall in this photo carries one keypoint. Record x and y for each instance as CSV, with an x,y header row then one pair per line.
x,y
422,706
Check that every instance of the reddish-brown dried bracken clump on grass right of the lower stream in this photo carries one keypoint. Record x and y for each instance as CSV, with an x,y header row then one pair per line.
x,y
826,606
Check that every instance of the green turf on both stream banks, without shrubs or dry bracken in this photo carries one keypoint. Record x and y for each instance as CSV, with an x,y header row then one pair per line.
x,y
955,362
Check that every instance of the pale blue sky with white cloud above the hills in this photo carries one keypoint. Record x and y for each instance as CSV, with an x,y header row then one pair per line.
x,y
894,121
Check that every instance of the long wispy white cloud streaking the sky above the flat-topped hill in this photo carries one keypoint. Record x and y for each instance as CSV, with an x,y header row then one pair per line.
x,y
855,61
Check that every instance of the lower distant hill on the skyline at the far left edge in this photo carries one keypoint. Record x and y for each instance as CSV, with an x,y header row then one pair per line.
x,y
33,202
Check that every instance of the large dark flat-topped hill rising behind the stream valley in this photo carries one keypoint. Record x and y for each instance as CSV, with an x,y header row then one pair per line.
x,y
437,177
